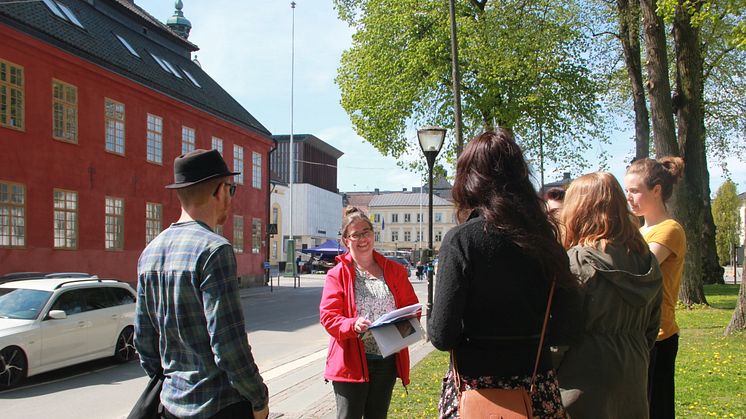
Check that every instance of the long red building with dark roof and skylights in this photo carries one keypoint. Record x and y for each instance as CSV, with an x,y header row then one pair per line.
x,y
96,100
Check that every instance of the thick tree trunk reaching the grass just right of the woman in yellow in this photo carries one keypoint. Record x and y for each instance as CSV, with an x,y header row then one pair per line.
x,y
691,202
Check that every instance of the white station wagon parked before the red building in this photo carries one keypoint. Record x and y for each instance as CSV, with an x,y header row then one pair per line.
x,y
50,323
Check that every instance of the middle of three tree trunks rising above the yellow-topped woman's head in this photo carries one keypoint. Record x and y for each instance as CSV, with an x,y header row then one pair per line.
x,y
659,86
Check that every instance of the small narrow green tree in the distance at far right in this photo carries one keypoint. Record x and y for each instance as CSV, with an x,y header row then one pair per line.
x,y
725,213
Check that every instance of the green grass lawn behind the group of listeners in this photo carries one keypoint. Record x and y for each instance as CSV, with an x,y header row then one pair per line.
x,y
710,368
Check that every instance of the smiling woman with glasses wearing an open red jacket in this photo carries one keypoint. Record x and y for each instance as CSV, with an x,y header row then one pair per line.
x,y
363,286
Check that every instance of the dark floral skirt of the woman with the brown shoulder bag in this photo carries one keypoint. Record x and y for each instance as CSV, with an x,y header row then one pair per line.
x,y
547,402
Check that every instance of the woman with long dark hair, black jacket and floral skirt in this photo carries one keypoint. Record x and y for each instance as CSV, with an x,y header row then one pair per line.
x,y
496,269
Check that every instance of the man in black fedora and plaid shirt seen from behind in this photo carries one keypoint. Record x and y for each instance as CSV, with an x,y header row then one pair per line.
x,y
189,324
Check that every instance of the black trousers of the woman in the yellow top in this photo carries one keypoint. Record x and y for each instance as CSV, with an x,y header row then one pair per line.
x,y
661,378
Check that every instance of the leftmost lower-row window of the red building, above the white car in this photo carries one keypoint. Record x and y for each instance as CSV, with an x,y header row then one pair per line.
x,y
12,214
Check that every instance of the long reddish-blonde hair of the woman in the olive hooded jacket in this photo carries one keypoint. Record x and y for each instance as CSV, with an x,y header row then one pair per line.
x,y
596,213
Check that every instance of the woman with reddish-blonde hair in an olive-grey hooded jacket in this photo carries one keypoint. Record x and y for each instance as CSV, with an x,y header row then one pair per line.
x,y
604,375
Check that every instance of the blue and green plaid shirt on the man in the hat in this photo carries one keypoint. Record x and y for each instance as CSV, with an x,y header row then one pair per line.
x,y
189,323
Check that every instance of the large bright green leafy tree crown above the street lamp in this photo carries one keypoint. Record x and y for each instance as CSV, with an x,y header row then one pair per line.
x,y
523,65
